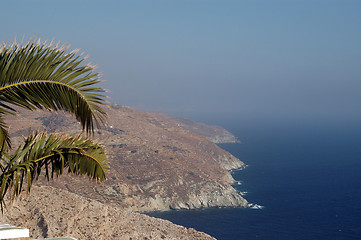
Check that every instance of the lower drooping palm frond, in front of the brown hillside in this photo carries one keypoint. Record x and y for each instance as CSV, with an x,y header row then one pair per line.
x,y
51,155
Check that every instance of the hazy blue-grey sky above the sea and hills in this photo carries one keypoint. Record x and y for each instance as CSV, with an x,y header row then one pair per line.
x,y
286,58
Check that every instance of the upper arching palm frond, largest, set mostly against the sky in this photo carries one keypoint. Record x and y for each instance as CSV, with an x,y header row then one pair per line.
x,y
37,75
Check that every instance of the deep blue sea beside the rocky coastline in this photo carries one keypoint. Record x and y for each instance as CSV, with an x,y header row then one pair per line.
x,y
306,175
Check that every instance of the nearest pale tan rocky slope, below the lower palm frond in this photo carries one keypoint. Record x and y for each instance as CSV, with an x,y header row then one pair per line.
x,y
52,212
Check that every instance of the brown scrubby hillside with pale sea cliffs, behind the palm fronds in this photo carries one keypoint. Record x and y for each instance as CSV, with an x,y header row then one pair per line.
x,y
156,163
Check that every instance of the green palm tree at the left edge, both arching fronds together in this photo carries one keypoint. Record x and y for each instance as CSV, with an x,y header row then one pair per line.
x,y
37,75
